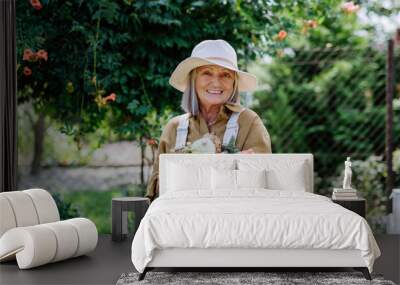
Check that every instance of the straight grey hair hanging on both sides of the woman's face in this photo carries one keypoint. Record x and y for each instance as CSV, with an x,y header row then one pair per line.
x,y
190,103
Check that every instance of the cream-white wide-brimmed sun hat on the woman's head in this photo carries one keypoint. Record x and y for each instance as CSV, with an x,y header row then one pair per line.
x,y
207,52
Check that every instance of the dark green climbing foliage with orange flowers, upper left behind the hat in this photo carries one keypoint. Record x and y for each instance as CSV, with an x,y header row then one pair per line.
x,y
130,48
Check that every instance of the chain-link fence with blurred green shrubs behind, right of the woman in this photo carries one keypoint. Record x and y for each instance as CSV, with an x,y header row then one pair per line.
x,y
330,102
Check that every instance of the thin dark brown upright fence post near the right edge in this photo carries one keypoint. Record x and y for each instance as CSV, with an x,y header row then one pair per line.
x,y
389,121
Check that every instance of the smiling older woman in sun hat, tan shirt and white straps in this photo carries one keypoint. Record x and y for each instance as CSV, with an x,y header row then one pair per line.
x,y
211,81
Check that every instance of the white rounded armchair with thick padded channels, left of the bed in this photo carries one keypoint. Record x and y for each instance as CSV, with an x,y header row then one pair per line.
x,y
31,231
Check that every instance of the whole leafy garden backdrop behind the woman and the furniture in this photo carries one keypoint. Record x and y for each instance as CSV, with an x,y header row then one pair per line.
x,y
93,93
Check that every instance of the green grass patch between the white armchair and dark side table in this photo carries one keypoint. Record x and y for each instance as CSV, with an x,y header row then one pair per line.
x,y
95,206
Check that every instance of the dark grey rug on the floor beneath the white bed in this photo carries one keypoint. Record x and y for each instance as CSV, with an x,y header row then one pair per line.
x,y
228,278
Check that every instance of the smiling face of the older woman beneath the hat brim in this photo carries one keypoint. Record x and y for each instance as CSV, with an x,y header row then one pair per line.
x,y
214,84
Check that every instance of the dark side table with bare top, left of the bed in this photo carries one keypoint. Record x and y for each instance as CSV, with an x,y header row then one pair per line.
x,y
120,208
